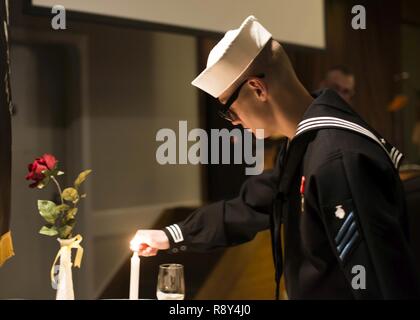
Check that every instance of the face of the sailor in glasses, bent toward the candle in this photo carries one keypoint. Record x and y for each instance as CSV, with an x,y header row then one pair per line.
x,y
250,109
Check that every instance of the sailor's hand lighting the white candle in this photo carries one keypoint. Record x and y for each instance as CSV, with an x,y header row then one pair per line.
x,y
149,242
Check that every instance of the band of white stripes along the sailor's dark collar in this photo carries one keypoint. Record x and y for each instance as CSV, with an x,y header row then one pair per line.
x,y
395,156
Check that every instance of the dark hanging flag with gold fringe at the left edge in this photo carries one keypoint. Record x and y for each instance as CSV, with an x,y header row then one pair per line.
x,y
6,246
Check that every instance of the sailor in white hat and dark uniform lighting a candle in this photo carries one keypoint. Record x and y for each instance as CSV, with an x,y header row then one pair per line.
x,y
335,187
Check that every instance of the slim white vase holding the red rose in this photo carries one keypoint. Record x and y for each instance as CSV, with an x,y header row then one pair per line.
x,y
65,278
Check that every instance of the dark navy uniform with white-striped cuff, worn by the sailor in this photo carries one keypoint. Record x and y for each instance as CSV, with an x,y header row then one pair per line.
x,y
337,191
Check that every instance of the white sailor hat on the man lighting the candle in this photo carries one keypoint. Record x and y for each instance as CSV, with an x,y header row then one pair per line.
x,y
231,57
